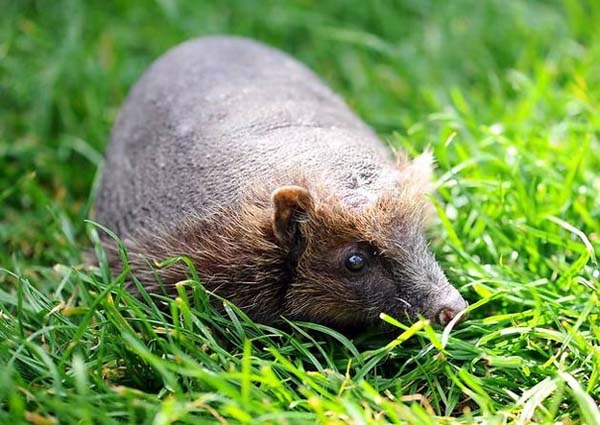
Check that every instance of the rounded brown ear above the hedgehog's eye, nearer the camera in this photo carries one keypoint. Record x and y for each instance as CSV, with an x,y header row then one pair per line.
x,y
290,203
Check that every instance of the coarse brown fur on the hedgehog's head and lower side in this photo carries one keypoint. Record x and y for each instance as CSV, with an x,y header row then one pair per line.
x,y
239,256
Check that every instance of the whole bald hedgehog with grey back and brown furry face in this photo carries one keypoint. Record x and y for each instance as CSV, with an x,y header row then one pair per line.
x,y
238,157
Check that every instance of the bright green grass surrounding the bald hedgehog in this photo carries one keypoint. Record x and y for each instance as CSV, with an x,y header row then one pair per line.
x,y
507,94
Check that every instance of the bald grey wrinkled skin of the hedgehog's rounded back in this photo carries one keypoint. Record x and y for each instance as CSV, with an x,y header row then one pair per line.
x,y
217,114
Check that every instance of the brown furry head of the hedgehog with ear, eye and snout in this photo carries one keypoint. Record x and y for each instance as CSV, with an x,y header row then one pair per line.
x,y
350,266
